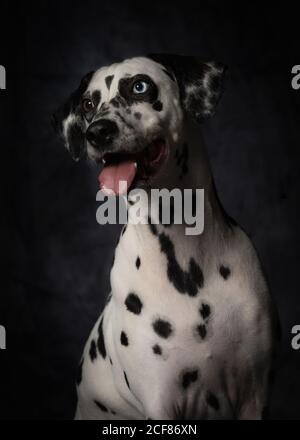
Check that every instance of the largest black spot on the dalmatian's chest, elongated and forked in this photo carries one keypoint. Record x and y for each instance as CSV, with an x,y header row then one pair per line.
x,y
184,281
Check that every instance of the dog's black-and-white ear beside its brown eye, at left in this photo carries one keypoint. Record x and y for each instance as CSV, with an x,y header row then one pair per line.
x,y
69,123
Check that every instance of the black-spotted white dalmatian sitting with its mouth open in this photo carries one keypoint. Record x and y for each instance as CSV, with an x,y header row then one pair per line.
x,y
188,330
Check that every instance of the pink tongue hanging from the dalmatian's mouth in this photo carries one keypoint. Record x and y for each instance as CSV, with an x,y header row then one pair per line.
x,y
112,175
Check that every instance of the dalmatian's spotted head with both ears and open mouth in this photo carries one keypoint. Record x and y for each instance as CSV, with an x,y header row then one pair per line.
x,y
129,115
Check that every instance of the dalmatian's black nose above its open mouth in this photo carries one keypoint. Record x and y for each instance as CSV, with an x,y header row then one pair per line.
x,y
101,133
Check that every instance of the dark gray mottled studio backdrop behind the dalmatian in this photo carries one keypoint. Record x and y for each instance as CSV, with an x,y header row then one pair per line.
x,y
56,257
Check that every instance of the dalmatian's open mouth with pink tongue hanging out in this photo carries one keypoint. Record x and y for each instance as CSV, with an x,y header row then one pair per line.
x,y
129,168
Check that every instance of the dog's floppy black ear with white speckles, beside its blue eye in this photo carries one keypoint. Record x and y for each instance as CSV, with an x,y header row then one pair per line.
x,y
199,82
